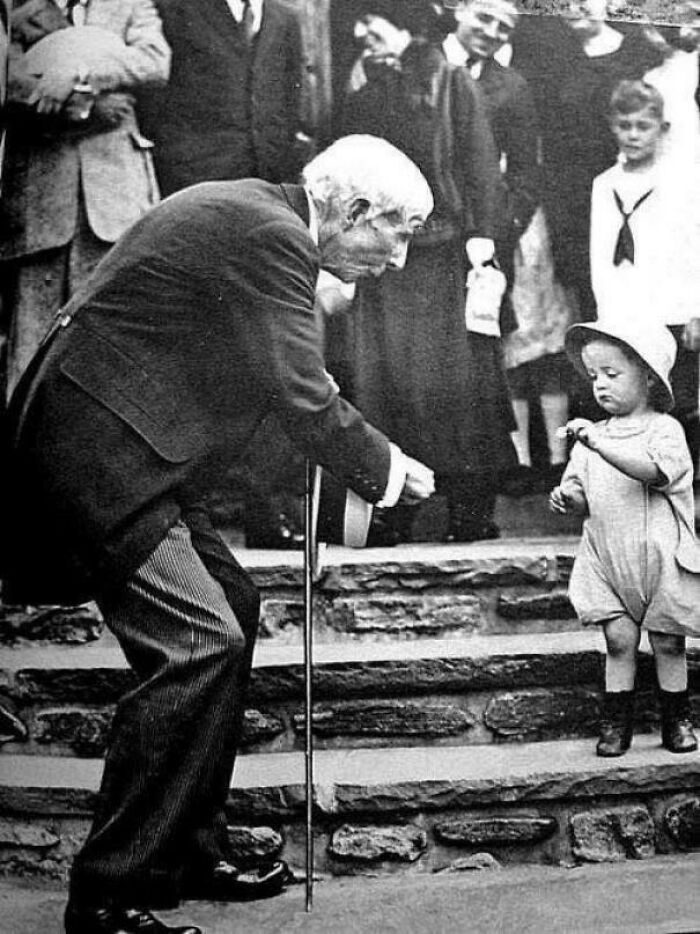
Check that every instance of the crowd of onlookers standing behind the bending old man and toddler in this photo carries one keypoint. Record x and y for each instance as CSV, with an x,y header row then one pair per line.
x,y
508,116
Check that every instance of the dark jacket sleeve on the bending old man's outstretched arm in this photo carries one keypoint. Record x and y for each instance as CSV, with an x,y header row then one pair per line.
x,y
283,341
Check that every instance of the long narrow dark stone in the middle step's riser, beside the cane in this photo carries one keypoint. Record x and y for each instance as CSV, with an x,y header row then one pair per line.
x,y
388,718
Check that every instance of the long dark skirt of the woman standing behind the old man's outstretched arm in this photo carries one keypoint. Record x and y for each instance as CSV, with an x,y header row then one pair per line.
x,y
436,390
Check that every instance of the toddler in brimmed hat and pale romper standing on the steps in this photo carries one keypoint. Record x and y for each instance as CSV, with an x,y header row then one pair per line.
x,y
638,565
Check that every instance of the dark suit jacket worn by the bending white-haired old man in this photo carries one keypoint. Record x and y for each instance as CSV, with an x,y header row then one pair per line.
x,y
198,324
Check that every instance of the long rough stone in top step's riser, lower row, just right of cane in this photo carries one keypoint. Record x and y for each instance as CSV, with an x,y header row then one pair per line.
x,y
425,615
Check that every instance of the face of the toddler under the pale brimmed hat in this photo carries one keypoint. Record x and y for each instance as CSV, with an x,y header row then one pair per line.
x,y
620,385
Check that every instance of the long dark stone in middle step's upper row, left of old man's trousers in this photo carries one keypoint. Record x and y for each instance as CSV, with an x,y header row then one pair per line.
x,y
72,685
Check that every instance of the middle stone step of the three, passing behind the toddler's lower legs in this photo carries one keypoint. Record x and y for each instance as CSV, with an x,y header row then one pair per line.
x,y
481,689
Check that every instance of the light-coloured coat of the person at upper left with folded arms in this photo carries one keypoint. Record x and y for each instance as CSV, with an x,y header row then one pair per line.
x,y
112,169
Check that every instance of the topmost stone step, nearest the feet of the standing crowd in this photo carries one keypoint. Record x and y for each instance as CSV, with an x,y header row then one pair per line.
x,y
411,591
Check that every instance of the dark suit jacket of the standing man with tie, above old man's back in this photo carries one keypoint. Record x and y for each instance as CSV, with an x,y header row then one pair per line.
x,y
221,117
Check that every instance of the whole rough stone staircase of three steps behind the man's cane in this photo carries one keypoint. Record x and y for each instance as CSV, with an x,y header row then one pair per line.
x,y
456,699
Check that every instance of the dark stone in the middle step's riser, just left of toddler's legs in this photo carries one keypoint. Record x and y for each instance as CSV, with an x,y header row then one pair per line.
x,y
550,712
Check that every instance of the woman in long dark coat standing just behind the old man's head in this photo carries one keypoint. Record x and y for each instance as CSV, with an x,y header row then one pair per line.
x,y
417,372
